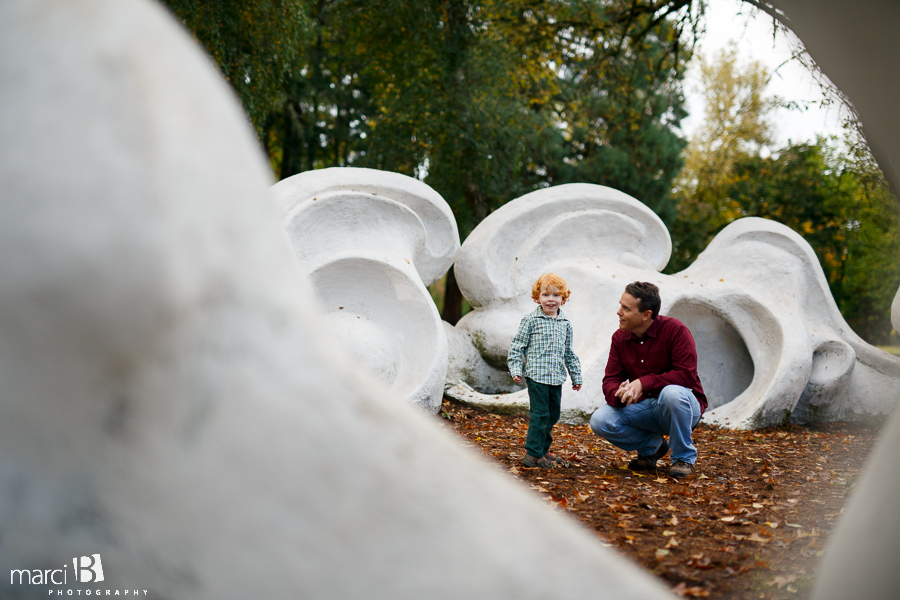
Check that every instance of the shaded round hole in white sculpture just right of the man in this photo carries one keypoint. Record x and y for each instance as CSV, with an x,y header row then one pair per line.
x,y
723,361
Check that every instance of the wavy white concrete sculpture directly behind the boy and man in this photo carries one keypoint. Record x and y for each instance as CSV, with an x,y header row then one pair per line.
x,y
771,341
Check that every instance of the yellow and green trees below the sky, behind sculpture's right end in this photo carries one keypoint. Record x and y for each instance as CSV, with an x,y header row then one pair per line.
x,y
836,199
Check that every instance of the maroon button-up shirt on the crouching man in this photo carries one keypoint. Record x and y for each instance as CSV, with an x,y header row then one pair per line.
x,y
665,355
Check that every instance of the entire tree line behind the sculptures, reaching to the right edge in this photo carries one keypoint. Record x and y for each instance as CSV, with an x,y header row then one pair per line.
x,y
487,100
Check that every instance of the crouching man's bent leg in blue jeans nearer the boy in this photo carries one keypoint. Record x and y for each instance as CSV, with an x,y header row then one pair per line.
x,y
632,427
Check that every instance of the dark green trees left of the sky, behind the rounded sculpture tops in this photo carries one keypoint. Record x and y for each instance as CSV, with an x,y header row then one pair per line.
x,y
483,99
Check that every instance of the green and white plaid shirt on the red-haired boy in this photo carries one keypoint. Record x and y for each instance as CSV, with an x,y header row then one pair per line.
x,y
547,345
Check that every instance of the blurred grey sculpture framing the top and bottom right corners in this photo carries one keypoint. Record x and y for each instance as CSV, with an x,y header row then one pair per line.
x,y
855,43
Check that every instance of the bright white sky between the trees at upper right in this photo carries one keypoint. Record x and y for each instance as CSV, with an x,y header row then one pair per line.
x,y
751,30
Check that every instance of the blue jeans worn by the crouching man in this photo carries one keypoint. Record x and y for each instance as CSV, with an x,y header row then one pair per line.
x,y
641,426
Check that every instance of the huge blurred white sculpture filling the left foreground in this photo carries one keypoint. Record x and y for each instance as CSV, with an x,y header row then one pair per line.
x,y
170,401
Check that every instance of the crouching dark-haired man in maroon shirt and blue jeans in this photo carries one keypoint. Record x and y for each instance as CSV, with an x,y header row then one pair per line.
x,y
651,385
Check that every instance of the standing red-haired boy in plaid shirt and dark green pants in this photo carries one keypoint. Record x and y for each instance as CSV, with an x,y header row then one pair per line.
x,y
545,338
